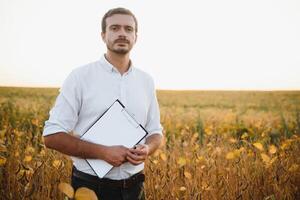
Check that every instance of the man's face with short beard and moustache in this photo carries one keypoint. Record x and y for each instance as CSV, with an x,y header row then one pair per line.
x,y
120,35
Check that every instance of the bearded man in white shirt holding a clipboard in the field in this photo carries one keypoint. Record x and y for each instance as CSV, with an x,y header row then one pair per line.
x,y
86,93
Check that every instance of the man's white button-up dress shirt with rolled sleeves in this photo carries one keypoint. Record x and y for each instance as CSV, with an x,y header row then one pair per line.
x,y
89,90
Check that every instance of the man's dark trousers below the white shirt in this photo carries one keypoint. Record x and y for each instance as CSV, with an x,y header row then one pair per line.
x,y
108,192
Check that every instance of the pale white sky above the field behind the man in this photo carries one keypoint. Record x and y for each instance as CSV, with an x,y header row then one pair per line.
x,y
212,44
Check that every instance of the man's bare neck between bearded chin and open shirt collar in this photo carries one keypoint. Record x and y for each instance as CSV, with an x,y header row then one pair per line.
x,y
121,62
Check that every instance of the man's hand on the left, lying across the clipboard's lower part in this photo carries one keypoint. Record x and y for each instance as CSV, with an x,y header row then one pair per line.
x,y
116,155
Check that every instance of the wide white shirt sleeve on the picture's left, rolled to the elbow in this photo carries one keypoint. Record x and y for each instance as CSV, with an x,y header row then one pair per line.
x,y
64,115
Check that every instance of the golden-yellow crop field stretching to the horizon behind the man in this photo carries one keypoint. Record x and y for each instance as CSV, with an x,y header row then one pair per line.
x,y
217,145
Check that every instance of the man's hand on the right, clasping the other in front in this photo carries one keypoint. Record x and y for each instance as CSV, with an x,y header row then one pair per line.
x,y
138,154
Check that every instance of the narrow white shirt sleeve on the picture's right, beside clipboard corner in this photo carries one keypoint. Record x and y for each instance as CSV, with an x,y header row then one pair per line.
x,y
153,125
